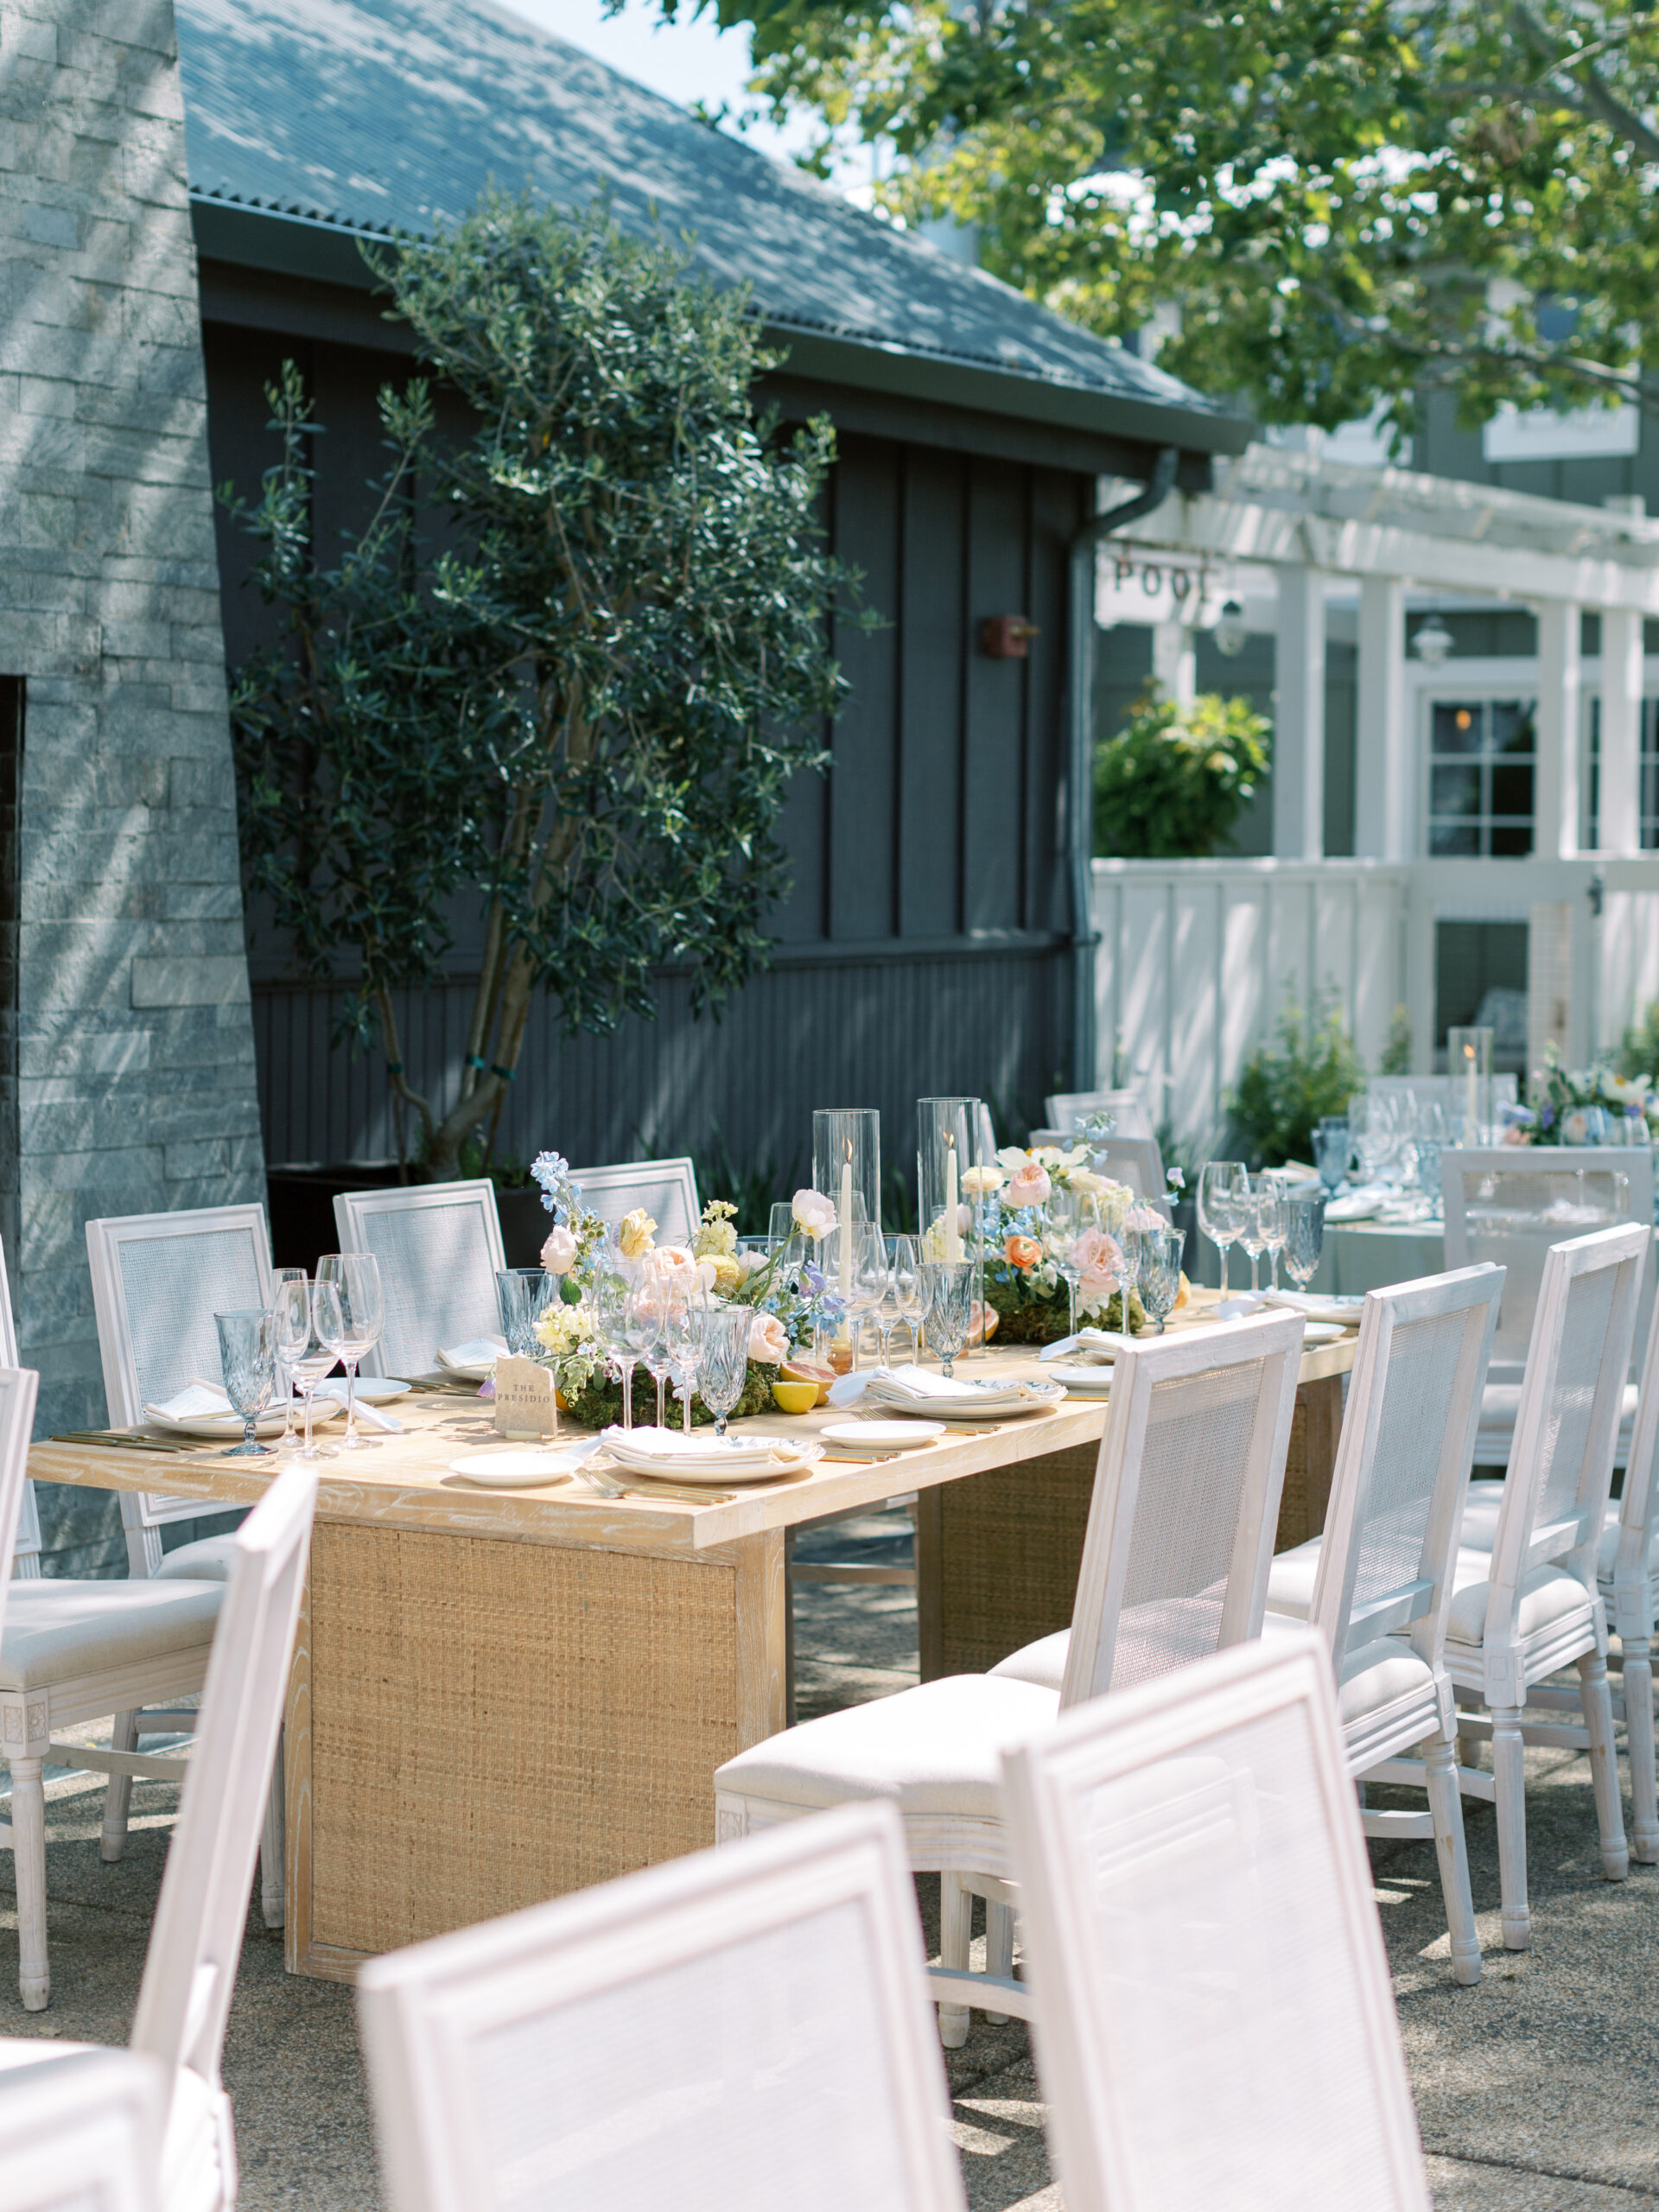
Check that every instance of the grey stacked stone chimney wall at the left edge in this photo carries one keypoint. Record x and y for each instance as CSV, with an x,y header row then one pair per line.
x,y
134,1050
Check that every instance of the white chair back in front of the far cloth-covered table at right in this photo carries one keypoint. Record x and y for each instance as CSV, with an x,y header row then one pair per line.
x,y
1510,1204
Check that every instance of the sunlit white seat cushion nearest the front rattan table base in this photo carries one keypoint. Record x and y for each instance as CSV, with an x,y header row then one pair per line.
x,y
932,1751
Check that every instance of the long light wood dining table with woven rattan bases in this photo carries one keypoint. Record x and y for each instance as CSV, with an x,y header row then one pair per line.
x,y
505,1695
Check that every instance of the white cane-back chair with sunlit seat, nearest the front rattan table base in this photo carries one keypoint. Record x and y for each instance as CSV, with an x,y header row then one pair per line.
x,y
1176,1565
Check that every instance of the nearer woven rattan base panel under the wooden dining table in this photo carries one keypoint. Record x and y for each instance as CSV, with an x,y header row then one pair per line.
x,y
477,1726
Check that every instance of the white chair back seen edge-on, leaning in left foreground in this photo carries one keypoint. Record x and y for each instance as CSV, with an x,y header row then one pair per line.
x,y
202,1912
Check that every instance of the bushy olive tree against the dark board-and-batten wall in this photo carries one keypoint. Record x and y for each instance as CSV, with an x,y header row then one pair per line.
x,y
565,669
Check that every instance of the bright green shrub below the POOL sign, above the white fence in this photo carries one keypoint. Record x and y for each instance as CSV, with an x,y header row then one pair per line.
x,y
1176,780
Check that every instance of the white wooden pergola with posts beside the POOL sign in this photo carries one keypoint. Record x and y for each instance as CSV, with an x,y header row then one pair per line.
x,y
1386,530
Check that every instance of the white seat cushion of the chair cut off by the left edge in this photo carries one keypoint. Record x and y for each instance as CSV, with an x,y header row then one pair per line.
x,y
56,1631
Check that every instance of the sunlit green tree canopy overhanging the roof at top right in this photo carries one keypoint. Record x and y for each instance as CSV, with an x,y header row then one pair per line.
x,y
1348,202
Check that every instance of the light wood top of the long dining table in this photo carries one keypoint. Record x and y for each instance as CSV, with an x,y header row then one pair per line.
x,y
406,1483
